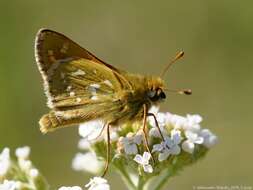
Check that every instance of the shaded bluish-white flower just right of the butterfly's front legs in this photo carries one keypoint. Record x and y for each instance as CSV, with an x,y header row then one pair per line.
x,y
169,147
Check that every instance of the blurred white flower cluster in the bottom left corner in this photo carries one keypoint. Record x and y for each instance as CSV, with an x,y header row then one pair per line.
x,y
19,173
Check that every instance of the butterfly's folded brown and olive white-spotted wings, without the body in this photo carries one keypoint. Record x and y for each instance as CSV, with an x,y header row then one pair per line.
x,y
73,76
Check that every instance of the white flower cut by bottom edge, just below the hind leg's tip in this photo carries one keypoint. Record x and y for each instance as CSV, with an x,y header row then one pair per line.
x,y
98,183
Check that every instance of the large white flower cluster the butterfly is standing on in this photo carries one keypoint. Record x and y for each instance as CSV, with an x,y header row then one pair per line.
x,y
180,142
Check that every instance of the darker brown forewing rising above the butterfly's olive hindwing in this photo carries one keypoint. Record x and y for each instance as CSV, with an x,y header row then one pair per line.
x,y
51,46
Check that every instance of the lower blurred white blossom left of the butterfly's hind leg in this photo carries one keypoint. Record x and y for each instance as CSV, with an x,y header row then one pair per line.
x,y
87,162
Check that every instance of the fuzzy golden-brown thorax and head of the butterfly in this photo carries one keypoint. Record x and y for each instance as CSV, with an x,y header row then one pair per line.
x,y
146,90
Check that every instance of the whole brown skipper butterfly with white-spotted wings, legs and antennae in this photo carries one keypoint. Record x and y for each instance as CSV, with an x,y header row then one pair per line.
x,y
80,87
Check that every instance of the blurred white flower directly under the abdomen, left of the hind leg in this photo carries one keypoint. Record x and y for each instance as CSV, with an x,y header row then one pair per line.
x,y
91,129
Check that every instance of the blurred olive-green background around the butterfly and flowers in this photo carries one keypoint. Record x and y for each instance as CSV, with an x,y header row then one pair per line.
x,y
138,36
